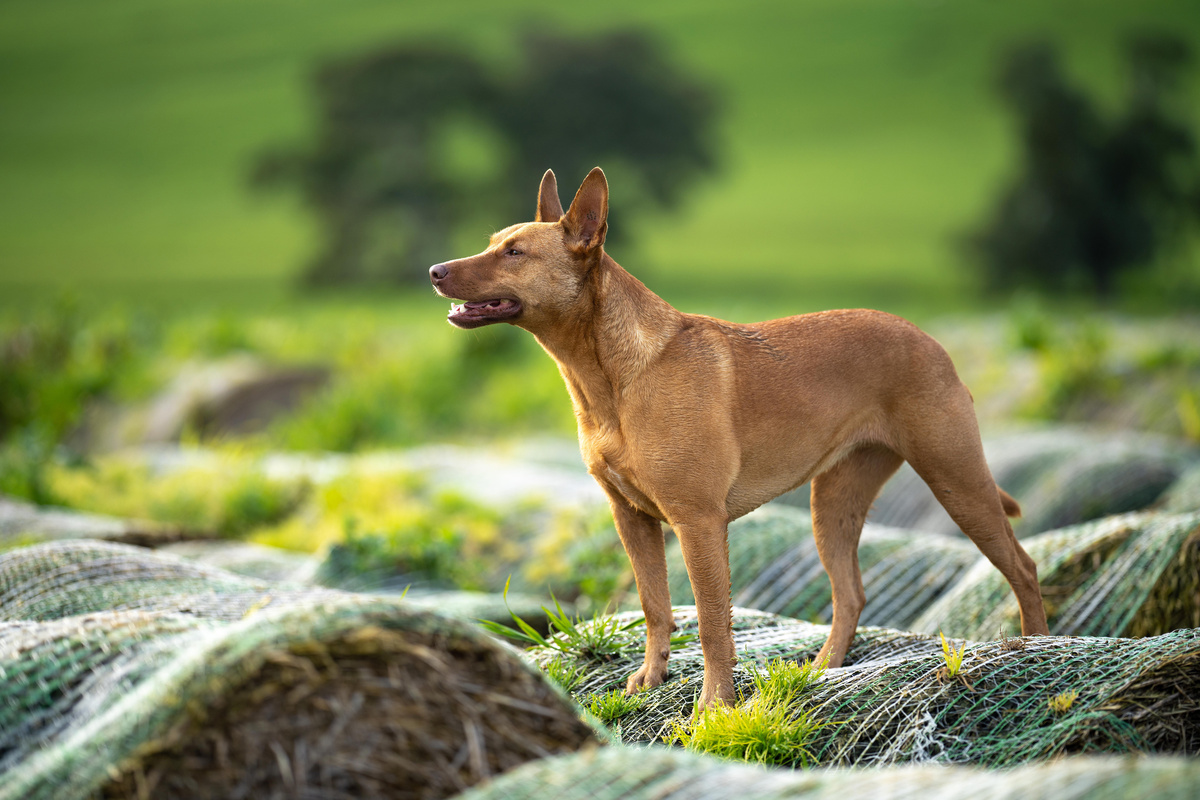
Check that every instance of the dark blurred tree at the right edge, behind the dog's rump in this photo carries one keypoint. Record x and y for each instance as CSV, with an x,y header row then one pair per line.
x,y
1095,197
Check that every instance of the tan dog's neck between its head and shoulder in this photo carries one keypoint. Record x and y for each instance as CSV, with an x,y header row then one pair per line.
x,y
621,329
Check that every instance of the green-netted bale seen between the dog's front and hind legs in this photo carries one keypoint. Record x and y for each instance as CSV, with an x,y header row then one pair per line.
x,y
775,568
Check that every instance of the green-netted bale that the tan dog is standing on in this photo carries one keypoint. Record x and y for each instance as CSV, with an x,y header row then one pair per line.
x,y
1016,701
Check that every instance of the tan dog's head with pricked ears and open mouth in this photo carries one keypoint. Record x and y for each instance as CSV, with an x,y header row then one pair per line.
x,y
531,273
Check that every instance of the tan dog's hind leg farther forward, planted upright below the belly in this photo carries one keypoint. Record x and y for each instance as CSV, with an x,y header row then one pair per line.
x,y
842,497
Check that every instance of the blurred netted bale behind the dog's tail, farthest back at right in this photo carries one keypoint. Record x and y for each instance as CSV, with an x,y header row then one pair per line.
x,y
1061,477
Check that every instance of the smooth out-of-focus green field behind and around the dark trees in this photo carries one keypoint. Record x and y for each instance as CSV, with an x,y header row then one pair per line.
x,y
859,137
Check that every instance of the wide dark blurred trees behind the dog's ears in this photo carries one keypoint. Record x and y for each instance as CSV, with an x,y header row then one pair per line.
x,y
413,142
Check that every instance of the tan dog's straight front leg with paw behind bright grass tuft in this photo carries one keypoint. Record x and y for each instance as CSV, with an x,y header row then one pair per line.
x,y
706,551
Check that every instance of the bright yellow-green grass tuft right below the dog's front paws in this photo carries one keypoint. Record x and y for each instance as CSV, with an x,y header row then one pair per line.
x,y
766,730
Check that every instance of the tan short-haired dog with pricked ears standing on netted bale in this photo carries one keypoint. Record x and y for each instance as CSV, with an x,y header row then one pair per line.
x,y
695,422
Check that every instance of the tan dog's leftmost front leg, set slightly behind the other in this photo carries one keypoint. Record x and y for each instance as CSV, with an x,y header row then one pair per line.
x,y
646,545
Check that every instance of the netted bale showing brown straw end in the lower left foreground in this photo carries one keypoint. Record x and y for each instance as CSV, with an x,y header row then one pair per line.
x,y
343,697
